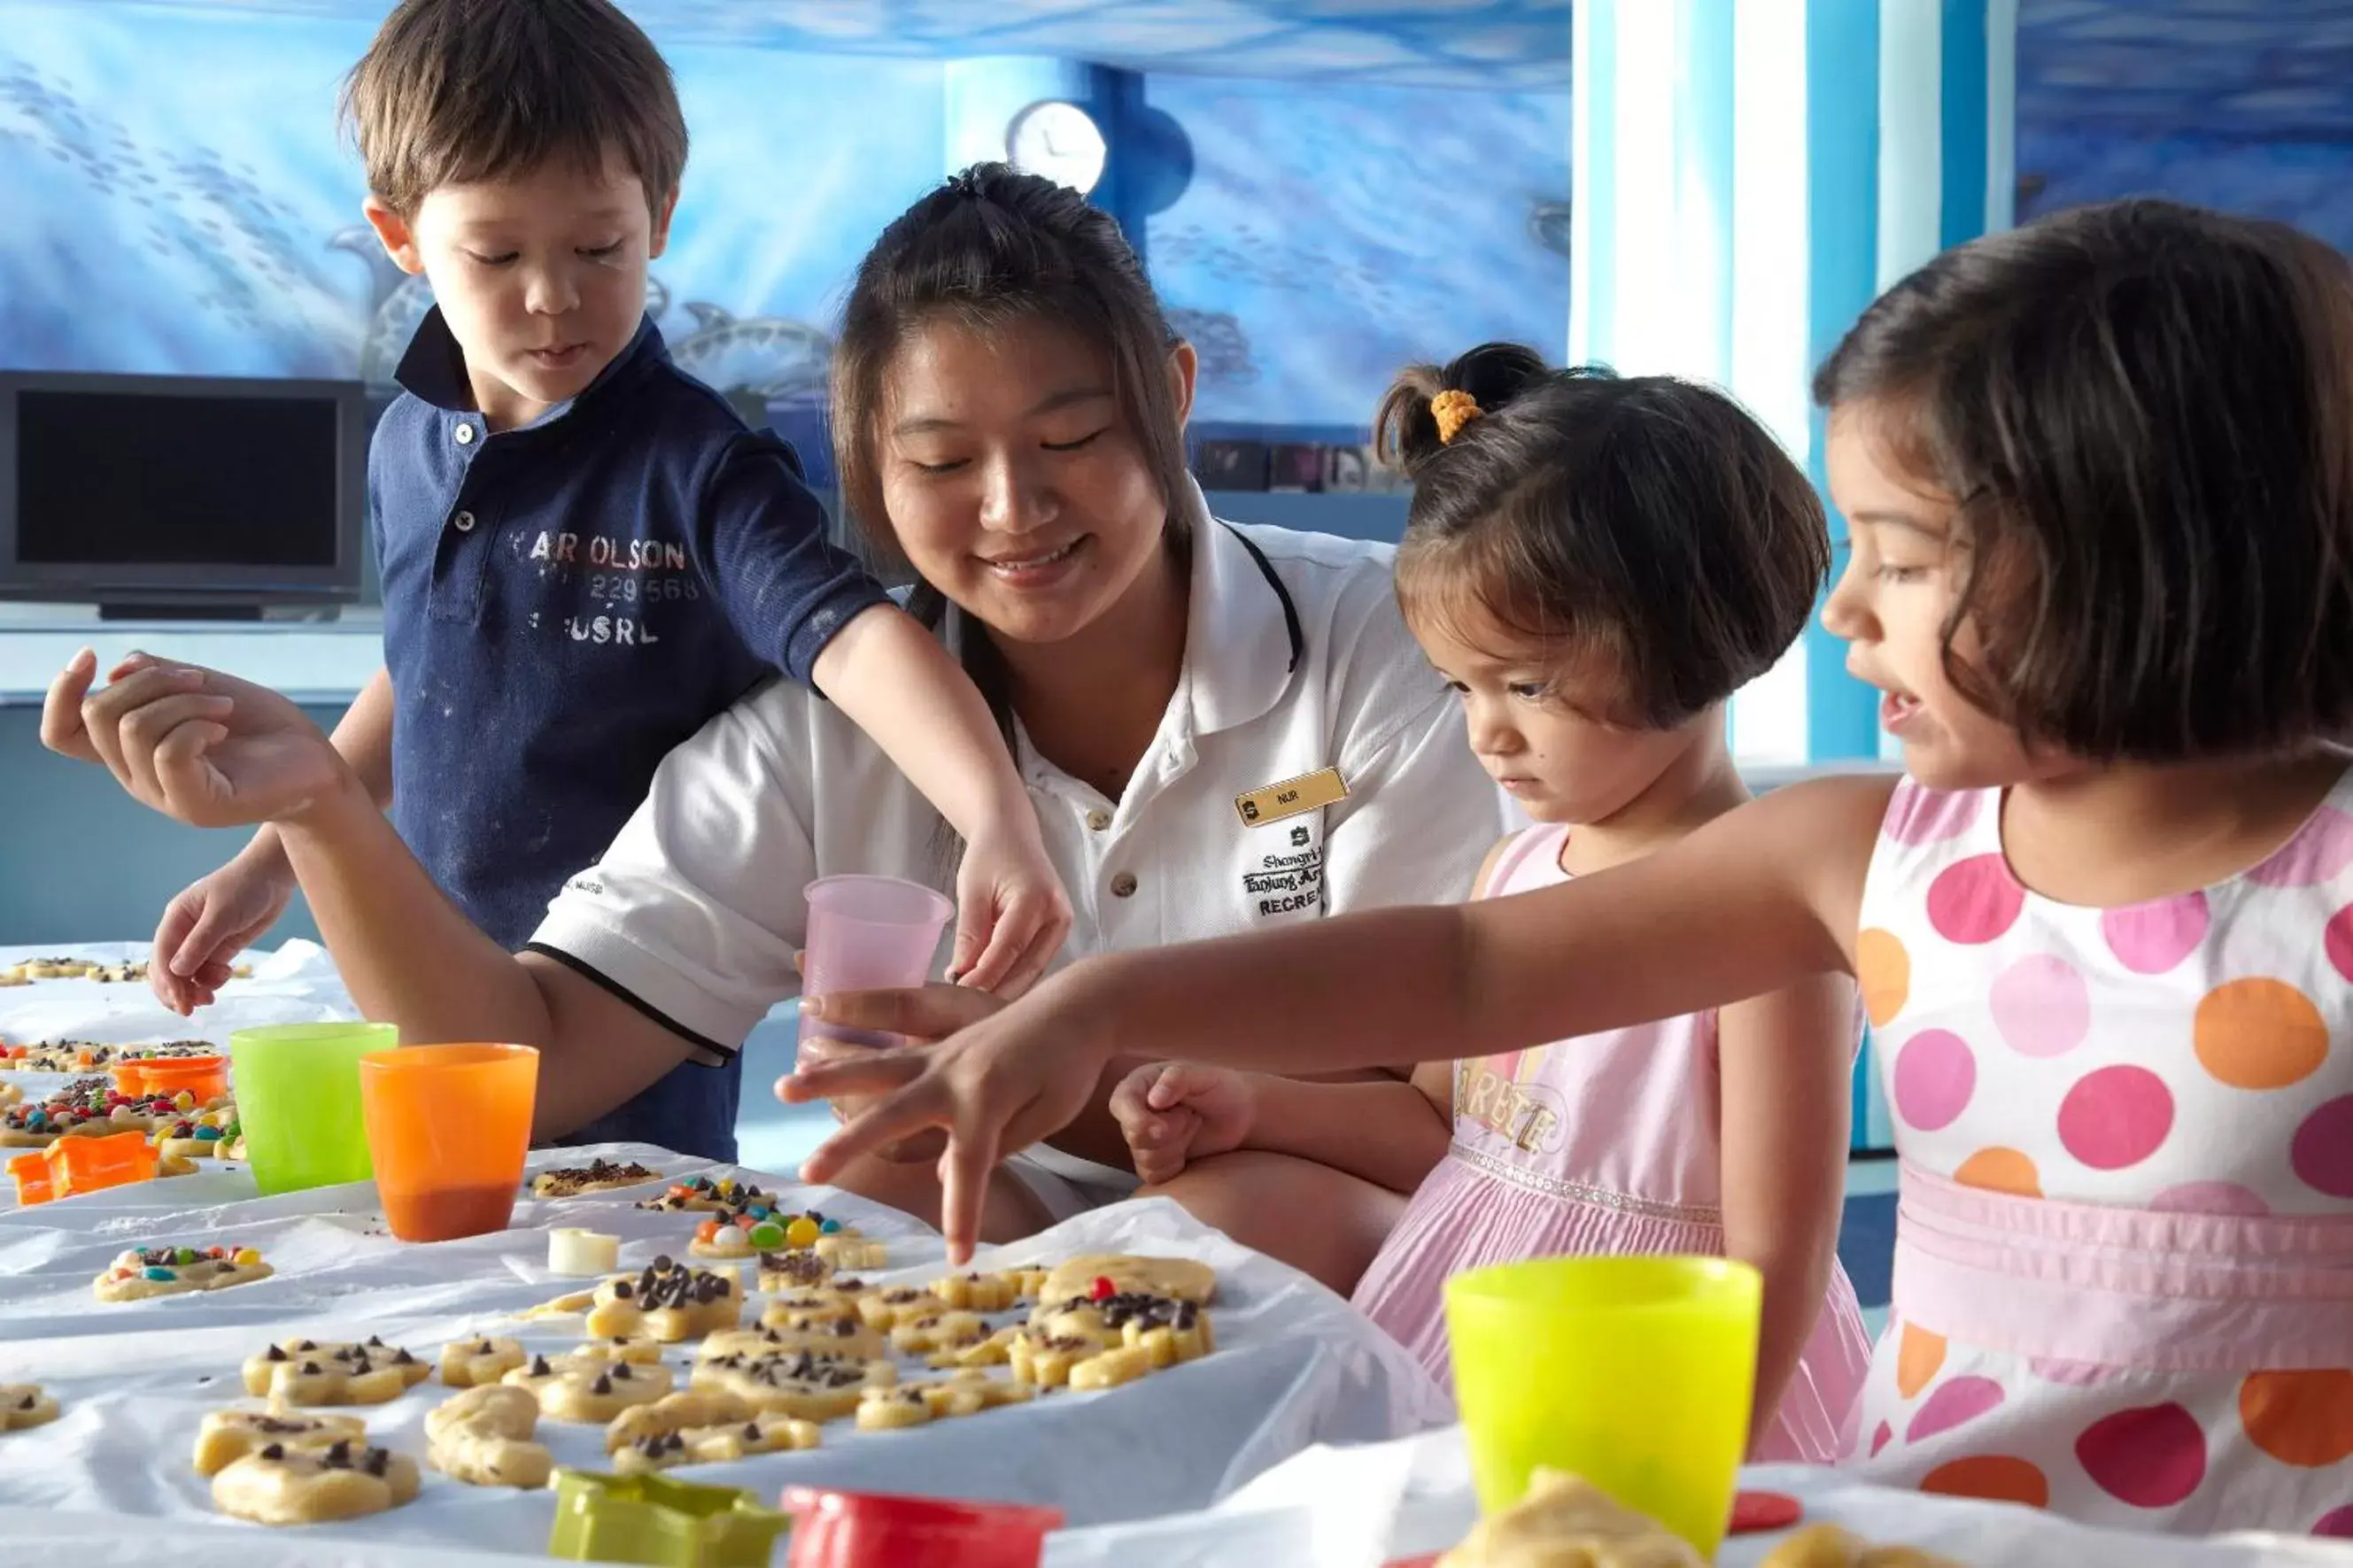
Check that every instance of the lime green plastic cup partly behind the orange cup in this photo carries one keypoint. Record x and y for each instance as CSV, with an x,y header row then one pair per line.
x,y
300,1101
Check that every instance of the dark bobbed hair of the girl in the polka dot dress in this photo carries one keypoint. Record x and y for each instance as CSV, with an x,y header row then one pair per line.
x,y
2145,415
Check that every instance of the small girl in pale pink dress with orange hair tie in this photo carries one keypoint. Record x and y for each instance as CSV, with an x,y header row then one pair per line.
x,y
1594,565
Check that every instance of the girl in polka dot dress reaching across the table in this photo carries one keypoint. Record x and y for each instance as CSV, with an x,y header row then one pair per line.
x,y
2100,478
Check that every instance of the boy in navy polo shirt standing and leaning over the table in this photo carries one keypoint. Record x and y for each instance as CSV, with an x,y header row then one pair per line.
x,y
585,551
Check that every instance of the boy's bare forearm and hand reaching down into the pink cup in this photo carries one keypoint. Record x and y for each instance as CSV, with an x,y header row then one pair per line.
x,y
916,704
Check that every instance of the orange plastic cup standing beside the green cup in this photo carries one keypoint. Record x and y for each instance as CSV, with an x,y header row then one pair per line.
x,y
448,1130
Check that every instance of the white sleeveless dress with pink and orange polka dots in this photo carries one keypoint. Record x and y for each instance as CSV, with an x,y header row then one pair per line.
x,y
2126,1231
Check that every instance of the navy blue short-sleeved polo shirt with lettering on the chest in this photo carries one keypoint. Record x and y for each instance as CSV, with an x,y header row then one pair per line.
x,y
564,605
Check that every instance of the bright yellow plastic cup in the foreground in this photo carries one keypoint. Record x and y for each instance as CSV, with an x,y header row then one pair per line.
x,y
1634,1374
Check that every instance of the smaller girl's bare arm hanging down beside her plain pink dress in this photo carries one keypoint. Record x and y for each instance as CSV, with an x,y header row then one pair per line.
x,y
1785,1160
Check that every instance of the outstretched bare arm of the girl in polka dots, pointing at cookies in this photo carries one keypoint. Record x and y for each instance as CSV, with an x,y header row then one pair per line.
x,y
1749,904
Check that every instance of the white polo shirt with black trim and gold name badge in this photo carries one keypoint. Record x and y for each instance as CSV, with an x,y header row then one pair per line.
x,y
1295,662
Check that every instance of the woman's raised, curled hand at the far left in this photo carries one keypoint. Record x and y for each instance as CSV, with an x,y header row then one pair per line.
x,y
199,746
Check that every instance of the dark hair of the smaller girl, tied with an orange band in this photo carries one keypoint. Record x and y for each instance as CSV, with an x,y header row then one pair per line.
x,y
1644,518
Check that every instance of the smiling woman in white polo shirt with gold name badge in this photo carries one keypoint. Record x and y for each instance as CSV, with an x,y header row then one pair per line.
x,y
1011,401
